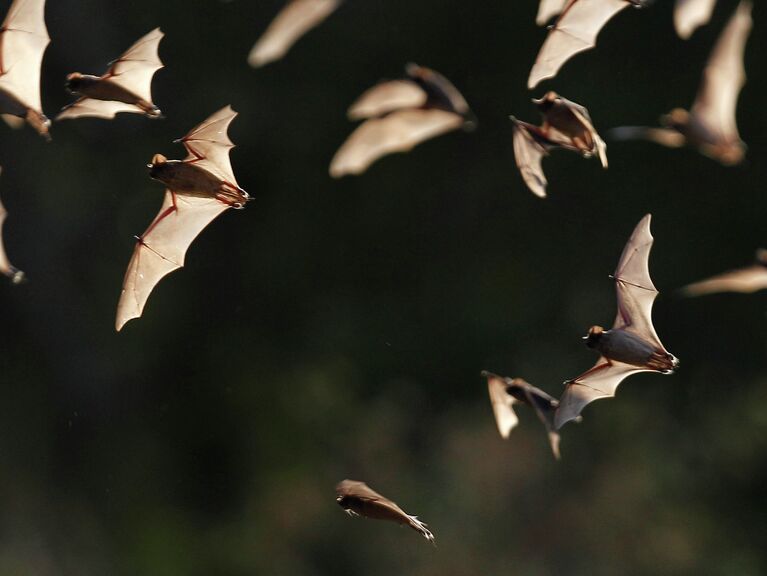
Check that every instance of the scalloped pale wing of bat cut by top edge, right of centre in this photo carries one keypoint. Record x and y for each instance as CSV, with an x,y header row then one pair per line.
x,y
575,30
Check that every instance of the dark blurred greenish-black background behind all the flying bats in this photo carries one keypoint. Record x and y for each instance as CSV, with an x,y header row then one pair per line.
x,y
337,329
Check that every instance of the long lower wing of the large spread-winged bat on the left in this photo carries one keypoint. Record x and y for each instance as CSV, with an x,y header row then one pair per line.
x,y
163,248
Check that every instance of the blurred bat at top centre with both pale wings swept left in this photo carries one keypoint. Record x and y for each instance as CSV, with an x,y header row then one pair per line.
x,y
400,114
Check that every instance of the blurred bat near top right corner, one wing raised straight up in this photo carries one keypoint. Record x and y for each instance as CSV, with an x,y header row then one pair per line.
x,y
710,125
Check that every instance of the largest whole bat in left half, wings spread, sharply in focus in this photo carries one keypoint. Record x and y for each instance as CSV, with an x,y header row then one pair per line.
x,y
198,189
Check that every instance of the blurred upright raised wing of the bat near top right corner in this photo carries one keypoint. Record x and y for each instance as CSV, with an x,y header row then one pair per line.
x,y
724,77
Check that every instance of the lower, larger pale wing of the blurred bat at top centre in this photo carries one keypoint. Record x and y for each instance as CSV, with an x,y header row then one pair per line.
x,y
399,131
